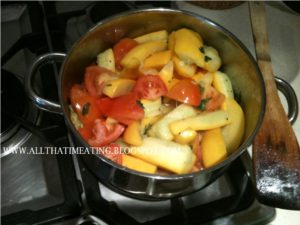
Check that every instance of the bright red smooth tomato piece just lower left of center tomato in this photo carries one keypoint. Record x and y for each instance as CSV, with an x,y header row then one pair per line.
x,y
124,109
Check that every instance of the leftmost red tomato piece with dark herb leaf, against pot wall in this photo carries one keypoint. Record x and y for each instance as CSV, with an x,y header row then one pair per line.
x,y
84,105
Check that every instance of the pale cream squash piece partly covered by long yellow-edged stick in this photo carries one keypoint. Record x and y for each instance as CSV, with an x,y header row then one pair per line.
x,y
161,128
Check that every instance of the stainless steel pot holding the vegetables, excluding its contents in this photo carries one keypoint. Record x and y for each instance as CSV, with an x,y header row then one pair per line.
x,y
237,63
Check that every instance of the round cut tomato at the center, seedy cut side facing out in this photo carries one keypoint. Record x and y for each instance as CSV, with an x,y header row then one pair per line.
x,y
150,87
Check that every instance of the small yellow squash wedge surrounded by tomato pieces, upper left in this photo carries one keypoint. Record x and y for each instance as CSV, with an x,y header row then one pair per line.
x,y
118,87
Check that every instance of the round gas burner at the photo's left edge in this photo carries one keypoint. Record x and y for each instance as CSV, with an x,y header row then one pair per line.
x,y
14,106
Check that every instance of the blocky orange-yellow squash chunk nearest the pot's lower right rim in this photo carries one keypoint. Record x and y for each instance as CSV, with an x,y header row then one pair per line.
x,y
213,147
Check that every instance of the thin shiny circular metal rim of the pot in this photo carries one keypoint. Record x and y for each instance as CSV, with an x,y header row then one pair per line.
x,y
232,156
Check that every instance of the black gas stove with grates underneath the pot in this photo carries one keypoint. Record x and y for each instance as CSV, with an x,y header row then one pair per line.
x,y
59,188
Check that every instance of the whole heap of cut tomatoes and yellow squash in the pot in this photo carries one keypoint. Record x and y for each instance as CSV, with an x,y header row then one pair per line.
x,y
162,96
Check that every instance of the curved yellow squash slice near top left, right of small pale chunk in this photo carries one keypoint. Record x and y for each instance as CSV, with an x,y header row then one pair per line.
x,y
140,52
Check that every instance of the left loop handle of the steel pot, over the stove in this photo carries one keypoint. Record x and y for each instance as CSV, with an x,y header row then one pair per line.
x,y
40,102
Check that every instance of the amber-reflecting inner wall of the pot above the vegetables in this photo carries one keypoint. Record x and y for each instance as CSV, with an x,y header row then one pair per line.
x,y
236,60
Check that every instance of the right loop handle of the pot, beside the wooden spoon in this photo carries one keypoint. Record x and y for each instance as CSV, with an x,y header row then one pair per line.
x,y
287,90
